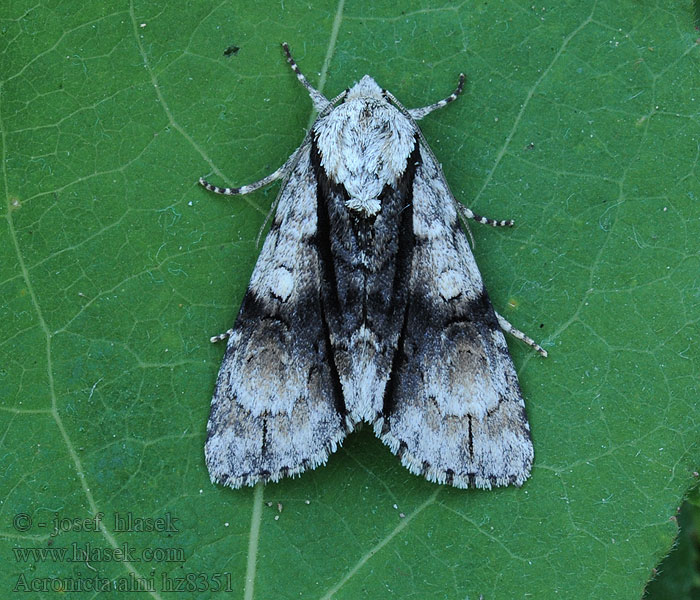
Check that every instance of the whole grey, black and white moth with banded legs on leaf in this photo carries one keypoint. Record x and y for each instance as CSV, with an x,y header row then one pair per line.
x,y
366,305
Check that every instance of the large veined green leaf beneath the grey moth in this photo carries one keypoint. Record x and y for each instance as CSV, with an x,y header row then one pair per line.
x,y
580,121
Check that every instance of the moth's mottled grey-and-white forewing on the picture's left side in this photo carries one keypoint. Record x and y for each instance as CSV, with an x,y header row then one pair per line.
x,y
277,407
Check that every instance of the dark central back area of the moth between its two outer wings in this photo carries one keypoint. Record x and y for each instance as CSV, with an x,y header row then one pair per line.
x,y
366,262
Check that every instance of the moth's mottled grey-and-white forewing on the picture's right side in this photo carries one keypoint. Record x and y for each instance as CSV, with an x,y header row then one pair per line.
x,y
453,410
